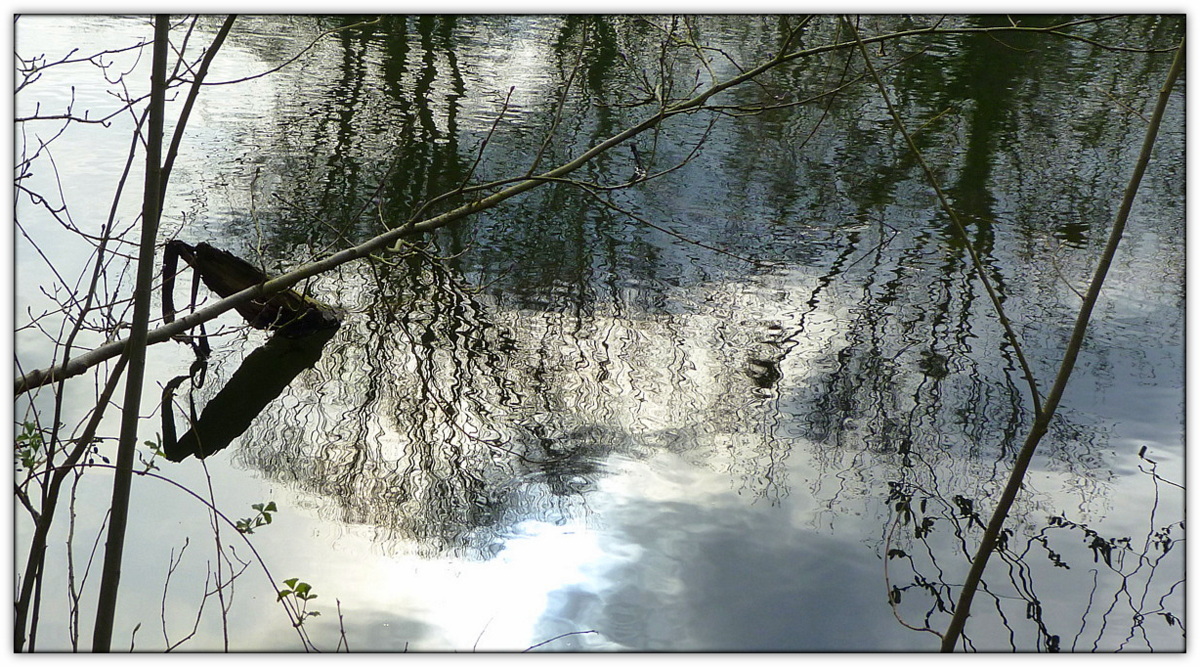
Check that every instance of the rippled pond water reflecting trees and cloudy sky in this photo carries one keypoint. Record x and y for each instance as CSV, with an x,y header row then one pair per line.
x,y
757,404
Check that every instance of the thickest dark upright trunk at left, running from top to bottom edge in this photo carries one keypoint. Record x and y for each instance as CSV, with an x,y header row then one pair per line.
x,y
136,351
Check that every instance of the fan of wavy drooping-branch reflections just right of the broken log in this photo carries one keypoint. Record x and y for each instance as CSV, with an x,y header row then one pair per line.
x,y
440,470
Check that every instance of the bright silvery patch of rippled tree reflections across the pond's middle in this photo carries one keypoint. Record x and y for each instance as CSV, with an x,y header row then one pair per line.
x,y
441,423
